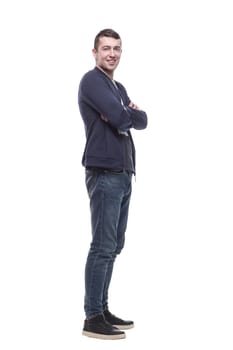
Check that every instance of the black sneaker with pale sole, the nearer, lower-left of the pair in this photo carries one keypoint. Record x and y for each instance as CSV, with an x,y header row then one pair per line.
x,y
98,327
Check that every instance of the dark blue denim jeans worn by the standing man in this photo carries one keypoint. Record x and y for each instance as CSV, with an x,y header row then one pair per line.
x,y
109,195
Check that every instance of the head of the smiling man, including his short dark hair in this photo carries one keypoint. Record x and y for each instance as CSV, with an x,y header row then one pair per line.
x,y
107,51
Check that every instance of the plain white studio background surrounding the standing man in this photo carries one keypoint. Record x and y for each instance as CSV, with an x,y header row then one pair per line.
x,y
174,277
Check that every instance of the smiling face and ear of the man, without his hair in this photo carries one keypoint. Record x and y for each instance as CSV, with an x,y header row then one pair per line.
x,y
108,54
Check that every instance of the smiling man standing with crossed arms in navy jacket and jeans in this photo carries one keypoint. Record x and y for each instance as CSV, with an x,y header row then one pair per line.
x,y
109,158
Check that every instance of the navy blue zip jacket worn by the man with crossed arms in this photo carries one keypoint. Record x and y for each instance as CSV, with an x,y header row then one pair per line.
x,y
99,99
